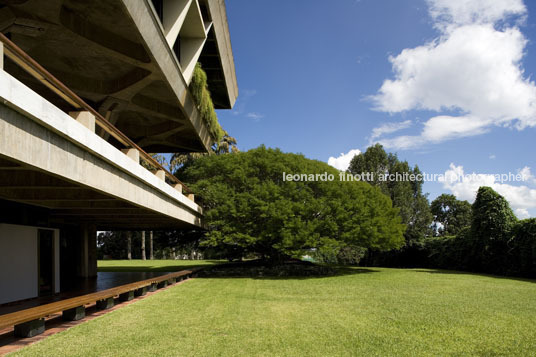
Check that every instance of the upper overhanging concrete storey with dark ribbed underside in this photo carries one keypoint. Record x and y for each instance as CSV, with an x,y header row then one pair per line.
x,y
130,62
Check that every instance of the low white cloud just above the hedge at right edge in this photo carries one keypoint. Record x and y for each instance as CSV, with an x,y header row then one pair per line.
x,y
521,198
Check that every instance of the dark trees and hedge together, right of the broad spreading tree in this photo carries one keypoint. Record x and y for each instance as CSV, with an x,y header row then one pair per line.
x,y
450,233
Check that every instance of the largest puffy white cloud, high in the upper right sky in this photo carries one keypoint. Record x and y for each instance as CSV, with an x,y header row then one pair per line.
x,y
472,69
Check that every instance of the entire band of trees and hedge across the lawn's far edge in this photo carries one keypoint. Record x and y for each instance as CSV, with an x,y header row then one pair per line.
x,y
251,212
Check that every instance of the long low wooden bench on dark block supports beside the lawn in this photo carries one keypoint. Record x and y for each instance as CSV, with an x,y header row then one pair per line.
x,y
30,322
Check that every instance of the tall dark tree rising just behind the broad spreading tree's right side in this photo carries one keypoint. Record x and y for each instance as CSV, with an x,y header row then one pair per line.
x,y
405,193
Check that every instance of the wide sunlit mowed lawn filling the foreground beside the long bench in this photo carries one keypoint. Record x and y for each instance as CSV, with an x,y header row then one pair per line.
x,y
369,312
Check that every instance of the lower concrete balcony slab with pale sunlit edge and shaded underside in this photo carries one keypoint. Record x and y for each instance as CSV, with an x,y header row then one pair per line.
x,y
52,162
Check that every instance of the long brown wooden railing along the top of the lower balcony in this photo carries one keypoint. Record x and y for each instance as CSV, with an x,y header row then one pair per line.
x,y
22,59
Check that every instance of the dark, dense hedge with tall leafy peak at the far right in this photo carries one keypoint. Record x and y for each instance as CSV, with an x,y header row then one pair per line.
x,y
494,242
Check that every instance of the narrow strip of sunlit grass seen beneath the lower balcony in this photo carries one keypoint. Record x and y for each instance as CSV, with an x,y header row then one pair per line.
x,y
151,265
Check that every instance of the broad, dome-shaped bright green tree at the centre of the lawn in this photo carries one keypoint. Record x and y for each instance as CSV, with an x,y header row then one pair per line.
x,y
251,208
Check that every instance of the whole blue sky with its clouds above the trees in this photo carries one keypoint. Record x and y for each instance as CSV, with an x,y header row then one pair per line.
x,y
454,76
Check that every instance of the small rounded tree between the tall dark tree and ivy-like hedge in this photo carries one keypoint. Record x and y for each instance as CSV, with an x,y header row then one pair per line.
x,y
450,215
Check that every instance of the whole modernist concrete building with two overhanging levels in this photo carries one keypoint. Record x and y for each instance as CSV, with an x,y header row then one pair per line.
x,y
87,88
